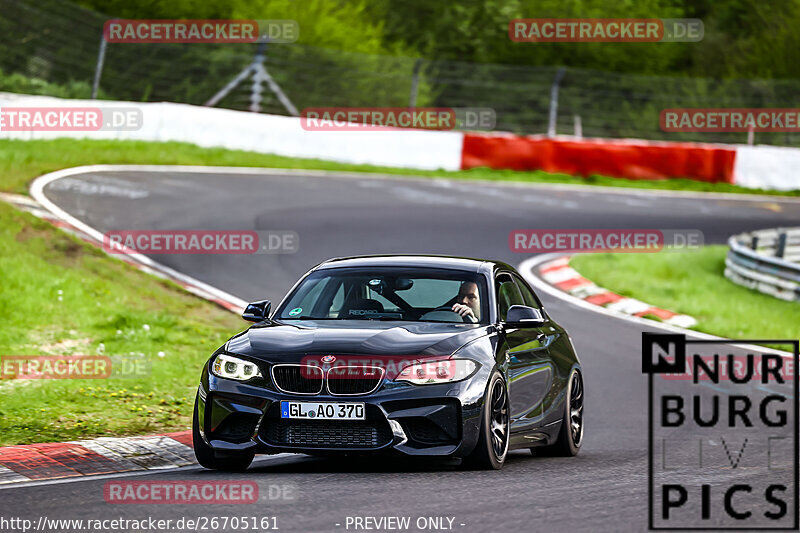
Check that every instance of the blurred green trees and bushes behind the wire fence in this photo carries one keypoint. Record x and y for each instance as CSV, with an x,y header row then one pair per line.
x,y
364,53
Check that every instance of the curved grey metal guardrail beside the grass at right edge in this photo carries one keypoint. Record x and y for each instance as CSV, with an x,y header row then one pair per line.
x,y
767,261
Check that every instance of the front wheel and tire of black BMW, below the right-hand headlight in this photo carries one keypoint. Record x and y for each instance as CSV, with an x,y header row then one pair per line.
x,y
492,448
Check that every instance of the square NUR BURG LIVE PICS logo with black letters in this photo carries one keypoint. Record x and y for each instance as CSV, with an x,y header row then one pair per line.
x,y
723,428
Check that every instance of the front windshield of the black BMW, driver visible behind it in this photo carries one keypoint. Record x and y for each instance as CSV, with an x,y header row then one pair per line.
x,y
419,295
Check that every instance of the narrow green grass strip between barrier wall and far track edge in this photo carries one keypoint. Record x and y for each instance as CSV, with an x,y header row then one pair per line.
x,y
22,161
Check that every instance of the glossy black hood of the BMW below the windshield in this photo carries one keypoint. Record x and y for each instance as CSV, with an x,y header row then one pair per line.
x,y
281,342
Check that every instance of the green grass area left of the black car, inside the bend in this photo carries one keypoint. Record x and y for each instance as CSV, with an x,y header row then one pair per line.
x,y
62,296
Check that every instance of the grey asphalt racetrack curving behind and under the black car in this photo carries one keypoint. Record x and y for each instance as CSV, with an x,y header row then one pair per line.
x,y
602,489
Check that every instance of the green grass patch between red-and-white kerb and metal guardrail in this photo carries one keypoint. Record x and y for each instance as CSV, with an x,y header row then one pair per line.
x,y
693,283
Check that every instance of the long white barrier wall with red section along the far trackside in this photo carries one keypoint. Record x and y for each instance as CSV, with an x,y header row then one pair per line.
x,y
761,167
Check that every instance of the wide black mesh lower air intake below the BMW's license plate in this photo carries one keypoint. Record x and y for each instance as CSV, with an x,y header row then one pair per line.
x,y
326,434
